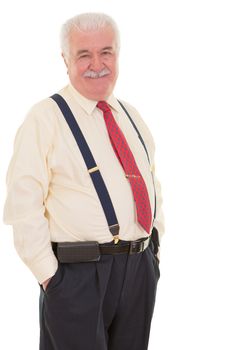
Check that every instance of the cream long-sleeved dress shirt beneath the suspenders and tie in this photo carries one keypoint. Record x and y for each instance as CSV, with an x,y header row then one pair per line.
x,y
51,196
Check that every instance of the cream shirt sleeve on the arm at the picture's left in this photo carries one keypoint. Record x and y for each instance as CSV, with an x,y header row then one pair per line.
x,y
27,188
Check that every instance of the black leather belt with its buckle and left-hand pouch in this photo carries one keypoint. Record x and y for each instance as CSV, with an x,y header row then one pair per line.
x,y
73,252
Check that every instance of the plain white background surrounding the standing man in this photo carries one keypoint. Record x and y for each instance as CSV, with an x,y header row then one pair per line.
x,y
176,69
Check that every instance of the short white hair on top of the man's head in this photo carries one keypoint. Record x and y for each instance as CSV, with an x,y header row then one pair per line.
x,y
87,22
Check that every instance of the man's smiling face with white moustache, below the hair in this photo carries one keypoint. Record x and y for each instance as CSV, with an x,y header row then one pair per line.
x,y
93,62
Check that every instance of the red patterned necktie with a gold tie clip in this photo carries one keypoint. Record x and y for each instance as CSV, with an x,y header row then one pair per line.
x,y
129,165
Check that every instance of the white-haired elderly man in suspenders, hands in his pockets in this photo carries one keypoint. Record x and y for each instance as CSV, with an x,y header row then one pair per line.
x,y
81,199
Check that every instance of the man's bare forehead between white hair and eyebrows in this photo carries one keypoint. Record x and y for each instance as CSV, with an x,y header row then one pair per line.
x,y
92,40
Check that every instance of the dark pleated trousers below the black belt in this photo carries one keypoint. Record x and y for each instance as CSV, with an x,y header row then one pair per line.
x,y
104,305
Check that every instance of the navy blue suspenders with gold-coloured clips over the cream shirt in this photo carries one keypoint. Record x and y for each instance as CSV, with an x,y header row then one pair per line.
x,y
92,167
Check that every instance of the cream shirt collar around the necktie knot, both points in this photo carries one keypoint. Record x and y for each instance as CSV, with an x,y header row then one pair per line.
x,y
90,105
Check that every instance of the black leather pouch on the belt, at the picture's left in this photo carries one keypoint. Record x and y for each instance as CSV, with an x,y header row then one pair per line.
x,y
75,252
